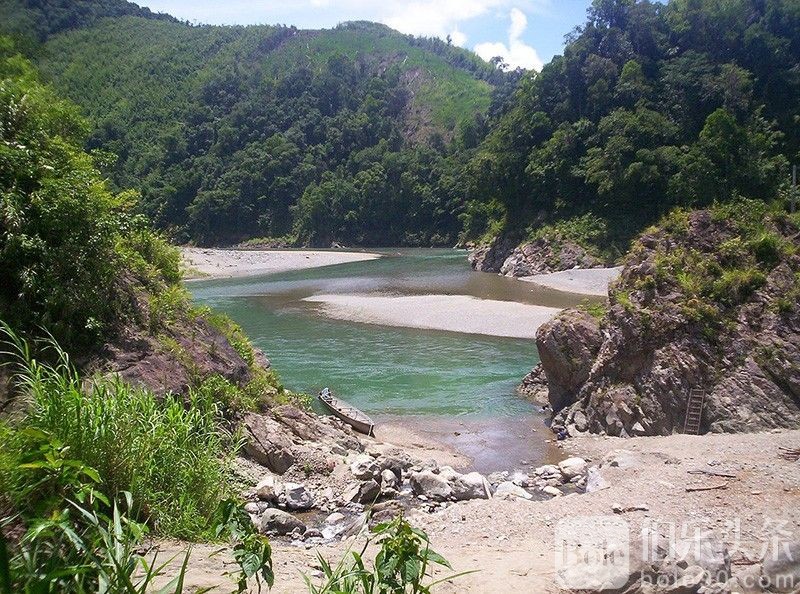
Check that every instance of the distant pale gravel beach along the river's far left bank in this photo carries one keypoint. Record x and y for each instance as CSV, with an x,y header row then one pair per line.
x,y
216,263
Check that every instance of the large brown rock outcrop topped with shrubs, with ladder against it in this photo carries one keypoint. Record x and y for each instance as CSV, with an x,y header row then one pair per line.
x,y
711,301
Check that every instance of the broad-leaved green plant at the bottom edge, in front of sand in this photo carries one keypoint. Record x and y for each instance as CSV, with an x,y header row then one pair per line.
x,y
402,564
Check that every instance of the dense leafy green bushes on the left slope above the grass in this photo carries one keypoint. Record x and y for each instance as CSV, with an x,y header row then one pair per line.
x,y
67,241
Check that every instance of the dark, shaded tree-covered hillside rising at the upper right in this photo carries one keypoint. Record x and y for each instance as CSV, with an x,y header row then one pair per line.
x,y
651,106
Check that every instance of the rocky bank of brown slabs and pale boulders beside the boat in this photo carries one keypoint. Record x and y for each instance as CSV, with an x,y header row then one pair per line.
x,y
316,466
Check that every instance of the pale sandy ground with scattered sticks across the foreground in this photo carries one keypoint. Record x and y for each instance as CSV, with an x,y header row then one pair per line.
x,y
723,503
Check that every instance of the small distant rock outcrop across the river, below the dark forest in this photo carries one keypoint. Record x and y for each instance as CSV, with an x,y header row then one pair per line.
x,y
540,256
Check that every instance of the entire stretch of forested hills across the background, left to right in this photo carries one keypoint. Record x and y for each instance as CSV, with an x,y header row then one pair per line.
x,y
361,135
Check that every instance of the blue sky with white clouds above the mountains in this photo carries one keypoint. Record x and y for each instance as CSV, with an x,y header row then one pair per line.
x,y
526,33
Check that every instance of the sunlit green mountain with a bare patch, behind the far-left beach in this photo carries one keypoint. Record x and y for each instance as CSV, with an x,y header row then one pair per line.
x,y
239,132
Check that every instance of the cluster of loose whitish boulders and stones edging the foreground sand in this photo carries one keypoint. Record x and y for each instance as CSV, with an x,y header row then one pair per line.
x,y
389,484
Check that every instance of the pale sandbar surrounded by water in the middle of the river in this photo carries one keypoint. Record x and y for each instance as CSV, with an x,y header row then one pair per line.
x,y
454,313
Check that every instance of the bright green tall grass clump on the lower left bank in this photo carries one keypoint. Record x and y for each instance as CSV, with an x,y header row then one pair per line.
x,y
171,456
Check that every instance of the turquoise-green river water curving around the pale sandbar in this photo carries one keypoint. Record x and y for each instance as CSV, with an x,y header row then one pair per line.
x,y
457,388
